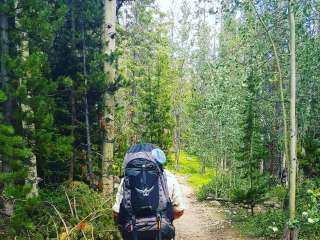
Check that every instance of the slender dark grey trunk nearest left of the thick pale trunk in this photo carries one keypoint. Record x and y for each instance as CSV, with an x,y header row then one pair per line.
x,y
87,121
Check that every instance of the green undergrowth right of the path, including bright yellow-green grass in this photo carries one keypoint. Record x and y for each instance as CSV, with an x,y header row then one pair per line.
x,y
267,223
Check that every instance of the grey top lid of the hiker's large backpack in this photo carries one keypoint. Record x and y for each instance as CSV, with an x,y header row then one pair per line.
x,y
143,151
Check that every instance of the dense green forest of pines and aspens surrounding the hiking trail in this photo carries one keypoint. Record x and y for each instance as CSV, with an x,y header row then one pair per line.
x,y
235,83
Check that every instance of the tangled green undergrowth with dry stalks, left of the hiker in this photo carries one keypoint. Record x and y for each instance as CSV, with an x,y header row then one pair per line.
x,y
74,209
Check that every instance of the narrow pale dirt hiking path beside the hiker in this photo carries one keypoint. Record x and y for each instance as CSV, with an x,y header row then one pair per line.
x,y
202,221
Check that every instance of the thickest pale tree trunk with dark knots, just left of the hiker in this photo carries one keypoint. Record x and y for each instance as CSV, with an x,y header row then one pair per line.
x,y
108,100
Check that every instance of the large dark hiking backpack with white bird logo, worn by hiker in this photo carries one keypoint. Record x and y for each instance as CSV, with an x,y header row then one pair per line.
x,y
146,210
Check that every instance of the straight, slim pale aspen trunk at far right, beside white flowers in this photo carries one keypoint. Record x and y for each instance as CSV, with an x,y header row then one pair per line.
x,y
293,142
